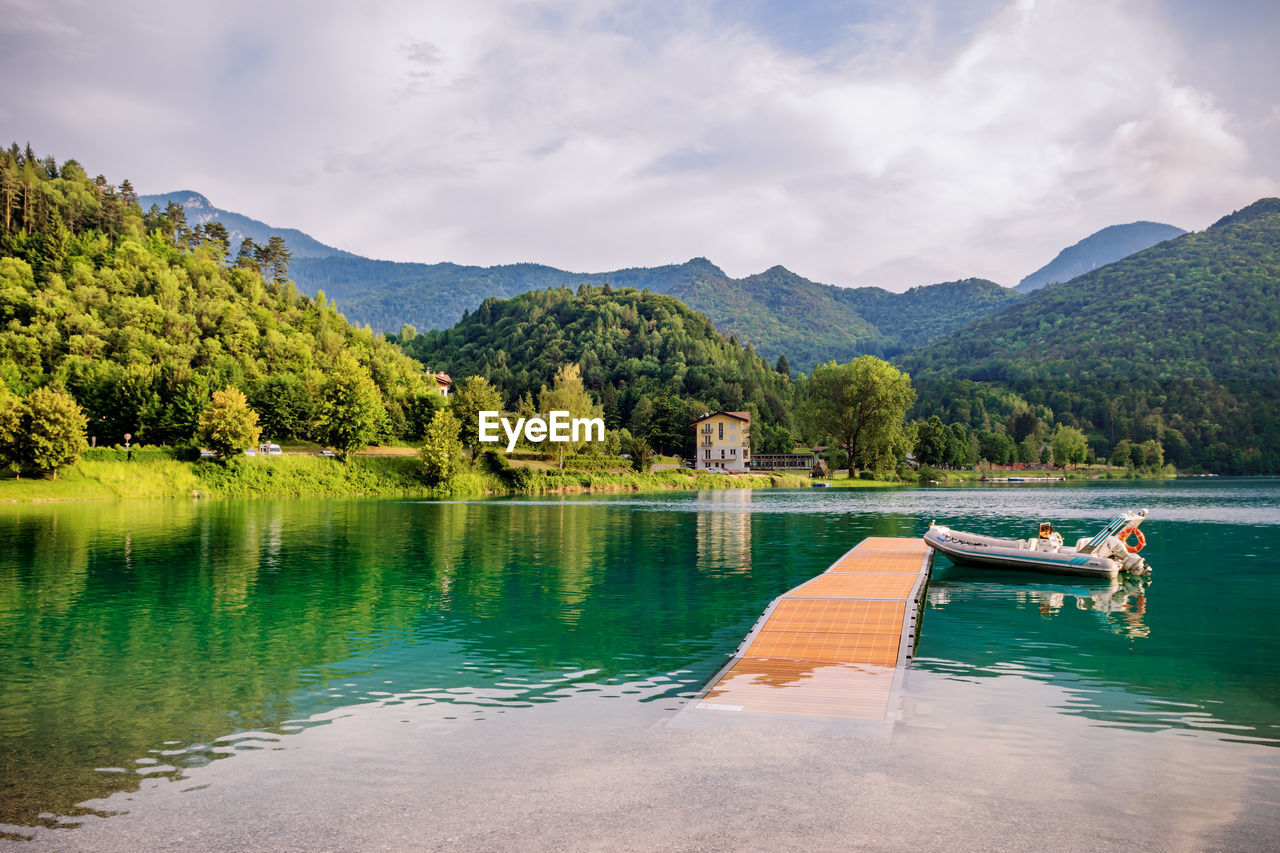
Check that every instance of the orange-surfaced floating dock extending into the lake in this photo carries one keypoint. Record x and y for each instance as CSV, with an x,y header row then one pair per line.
x,y
836,646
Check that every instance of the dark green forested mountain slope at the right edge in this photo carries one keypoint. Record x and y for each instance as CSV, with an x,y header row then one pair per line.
x,y
1180,343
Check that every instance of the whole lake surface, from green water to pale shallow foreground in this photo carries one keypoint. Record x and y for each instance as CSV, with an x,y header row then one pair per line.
x,y
496,674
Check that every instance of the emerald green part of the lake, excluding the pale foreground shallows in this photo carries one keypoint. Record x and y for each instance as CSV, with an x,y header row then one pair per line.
x,y
141,642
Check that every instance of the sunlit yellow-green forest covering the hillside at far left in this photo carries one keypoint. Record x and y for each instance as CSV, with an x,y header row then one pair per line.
x,y
141,316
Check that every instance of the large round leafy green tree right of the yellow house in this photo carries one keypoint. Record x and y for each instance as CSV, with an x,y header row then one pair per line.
x,y
862,405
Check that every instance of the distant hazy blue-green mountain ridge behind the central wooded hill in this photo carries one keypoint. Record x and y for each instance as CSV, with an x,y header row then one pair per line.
x,y
778,312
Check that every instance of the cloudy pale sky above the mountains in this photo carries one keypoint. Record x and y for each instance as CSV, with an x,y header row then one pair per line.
x,y
866,143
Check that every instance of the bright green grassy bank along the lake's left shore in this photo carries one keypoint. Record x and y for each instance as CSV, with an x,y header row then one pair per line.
x,y
156,475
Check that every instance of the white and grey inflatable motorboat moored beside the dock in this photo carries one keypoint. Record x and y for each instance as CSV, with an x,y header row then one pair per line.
x,y
1104,555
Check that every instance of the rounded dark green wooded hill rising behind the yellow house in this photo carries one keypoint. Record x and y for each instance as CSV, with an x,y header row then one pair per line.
x,y
651,362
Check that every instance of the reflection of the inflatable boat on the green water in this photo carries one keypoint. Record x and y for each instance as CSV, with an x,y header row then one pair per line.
x,y
1118,604
